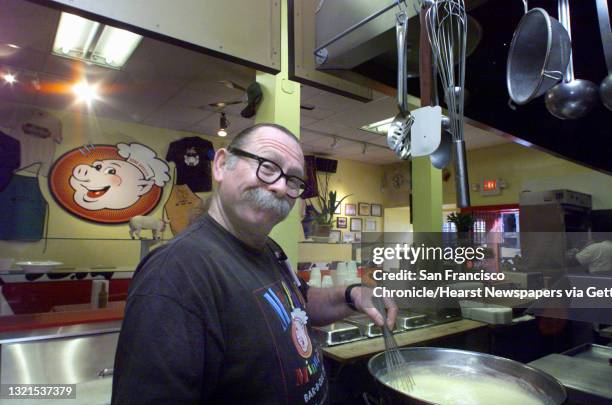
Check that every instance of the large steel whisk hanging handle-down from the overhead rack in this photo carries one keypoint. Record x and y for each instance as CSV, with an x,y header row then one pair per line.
x,y
447,32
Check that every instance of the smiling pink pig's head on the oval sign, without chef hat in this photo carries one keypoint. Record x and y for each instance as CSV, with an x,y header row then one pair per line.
x,y
113,184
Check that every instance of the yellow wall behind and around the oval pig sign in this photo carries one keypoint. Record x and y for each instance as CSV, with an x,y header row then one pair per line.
x,y
73,240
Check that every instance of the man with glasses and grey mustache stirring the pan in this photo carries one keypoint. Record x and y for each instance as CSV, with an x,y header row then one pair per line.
x,y
216,316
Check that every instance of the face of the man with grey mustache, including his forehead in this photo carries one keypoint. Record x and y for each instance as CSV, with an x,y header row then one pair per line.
x,y
249,201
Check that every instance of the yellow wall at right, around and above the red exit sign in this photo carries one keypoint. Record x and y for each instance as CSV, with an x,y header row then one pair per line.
x,y
529,169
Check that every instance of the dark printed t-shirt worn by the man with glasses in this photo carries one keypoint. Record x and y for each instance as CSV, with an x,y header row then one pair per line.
x,y
210,320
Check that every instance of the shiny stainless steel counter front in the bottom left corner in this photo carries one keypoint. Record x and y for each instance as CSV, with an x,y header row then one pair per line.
x,y
76,354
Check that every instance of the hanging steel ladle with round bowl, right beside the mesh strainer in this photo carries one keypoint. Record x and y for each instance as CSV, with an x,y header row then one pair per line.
x,y
572,98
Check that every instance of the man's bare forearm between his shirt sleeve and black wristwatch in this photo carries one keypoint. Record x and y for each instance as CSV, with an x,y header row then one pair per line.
x,y
327,305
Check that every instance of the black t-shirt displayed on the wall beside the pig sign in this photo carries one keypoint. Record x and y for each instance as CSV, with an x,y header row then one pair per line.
x,y
192,157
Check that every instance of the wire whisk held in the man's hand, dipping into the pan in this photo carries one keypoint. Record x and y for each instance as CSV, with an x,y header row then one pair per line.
x,y
398,373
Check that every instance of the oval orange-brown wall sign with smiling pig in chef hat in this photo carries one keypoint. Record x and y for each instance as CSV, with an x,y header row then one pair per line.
x,y
109,183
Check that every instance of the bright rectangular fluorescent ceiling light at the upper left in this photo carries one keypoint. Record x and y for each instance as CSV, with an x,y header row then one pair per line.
x,y
90,41
